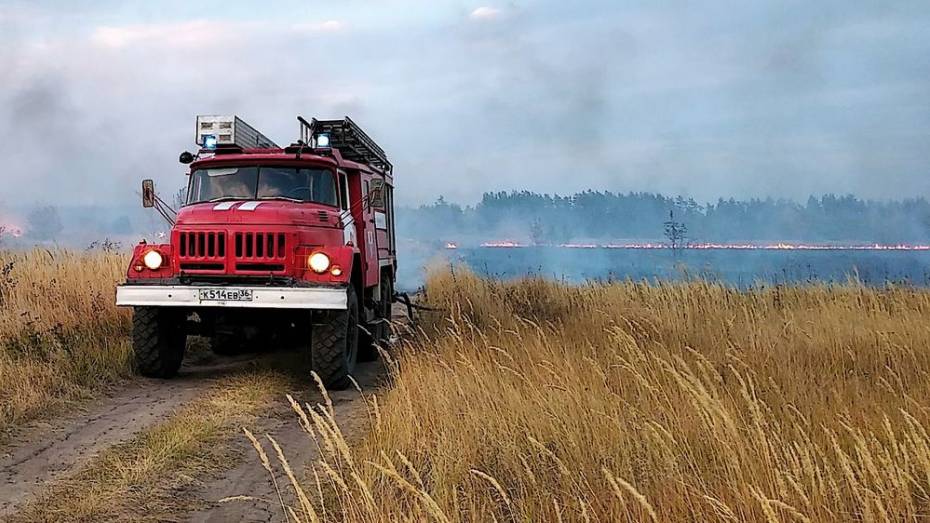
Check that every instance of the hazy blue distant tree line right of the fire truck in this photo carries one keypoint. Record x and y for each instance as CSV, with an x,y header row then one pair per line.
x,y
607,215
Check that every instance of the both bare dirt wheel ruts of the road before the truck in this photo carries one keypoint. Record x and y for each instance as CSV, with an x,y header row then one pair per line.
x,y
45,453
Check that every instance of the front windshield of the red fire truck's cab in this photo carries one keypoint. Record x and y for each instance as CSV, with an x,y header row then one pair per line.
x,y
262,183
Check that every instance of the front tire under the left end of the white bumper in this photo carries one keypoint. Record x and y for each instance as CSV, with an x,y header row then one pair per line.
x,y
158,340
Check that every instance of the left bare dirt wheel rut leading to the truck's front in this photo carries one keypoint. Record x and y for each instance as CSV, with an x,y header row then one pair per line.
x,y
43,453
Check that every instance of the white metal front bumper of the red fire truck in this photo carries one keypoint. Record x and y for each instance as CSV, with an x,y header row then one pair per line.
x,y
322,298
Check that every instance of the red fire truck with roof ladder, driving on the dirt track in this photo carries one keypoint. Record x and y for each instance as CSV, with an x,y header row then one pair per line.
x,y
273,245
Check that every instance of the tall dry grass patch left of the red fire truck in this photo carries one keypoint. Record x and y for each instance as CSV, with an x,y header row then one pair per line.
x,y
61,336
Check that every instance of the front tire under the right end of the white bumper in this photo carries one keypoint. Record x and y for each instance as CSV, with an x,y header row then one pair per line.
x,y
334,343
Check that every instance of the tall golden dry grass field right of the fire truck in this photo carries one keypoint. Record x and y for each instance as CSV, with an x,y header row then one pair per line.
x,y
535,401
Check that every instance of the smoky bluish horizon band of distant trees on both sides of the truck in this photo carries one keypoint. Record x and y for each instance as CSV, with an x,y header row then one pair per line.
x,y
525,217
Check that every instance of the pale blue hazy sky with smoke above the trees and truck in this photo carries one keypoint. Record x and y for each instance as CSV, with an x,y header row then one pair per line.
x,y
705,99
